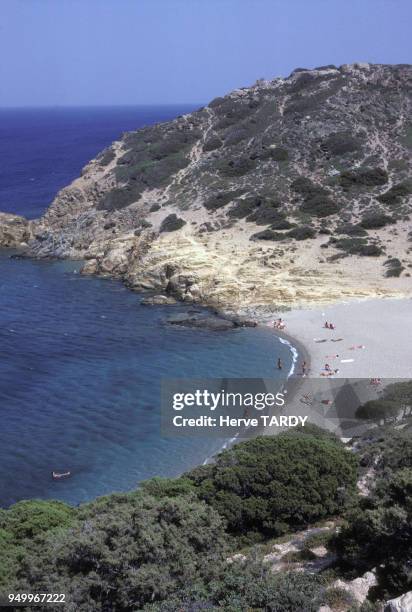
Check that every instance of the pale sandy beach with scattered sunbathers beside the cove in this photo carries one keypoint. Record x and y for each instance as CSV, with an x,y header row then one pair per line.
x,y
369,341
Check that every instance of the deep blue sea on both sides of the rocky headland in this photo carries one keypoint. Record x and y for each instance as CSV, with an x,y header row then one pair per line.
x,y
81,359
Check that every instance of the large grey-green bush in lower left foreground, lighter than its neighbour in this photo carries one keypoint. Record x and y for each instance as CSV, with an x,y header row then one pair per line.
x,y
130,551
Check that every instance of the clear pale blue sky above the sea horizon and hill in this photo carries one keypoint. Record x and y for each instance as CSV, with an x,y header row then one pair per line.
x,y
81,52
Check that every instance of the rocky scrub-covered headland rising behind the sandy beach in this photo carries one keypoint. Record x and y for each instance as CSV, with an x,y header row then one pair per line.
x,y
288,192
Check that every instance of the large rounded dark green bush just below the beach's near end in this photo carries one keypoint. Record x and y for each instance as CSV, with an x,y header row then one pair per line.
x,y
274,484
